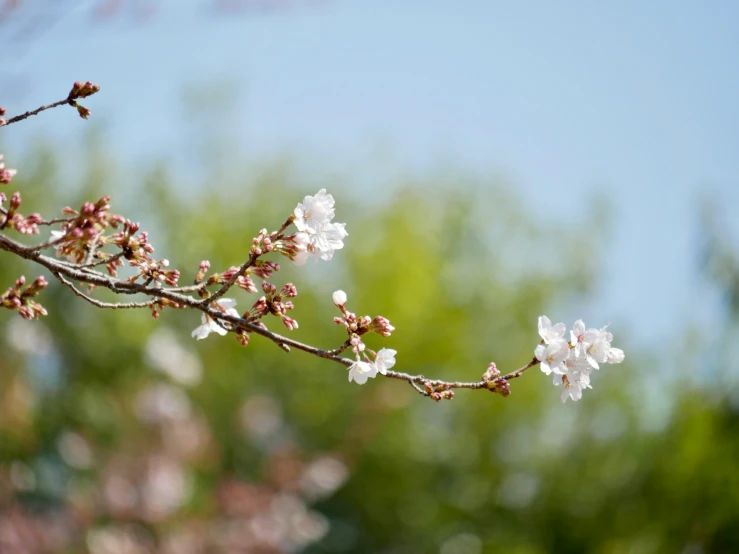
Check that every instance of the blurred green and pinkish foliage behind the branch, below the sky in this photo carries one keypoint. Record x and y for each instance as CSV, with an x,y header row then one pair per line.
x,y
119,434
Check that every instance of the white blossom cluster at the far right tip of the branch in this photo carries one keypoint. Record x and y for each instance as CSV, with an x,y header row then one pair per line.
x,y
571,362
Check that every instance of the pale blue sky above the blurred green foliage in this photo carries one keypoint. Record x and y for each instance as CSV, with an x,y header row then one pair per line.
x,y
635,100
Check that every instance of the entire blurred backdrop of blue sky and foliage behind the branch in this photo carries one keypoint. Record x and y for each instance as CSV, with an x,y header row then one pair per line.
x,y
494,161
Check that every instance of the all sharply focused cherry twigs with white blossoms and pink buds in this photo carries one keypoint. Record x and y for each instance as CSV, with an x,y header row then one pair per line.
x,y
84,234
